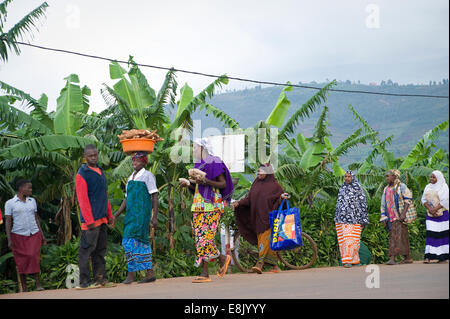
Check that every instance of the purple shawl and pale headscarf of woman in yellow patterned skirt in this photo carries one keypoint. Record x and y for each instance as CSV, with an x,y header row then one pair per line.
x,y
213,167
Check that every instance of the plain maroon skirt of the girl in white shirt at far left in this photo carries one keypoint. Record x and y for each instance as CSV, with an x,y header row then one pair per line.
x,y
27,252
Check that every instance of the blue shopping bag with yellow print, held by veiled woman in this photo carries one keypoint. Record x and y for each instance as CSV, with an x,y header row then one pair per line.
x,y
286,231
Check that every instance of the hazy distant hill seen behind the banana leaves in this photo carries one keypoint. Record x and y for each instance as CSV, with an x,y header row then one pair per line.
x,y
408,118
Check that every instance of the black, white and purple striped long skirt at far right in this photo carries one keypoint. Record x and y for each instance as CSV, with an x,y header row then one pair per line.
x,y
436,243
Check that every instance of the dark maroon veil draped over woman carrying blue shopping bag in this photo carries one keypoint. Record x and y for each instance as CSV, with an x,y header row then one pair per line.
x,y
252,215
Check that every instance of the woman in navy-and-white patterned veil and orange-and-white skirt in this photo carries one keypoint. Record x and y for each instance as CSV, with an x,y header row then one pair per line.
x,y
351,215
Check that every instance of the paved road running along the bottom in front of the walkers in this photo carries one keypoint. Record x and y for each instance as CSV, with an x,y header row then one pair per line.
x,y
401,281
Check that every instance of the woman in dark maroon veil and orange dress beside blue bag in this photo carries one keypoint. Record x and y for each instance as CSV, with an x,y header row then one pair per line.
x,y
252,215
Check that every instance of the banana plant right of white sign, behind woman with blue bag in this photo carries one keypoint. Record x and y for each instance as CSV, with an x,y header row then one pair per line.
x,y
305,162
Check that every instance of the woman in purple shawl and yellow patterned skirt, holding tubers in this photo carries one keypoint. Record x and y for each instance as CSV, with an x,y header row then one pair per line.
x,y
210,197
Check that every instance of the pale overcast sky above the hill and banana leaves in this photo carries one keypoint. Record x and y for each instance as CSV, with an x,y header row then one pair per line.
x,y
370,41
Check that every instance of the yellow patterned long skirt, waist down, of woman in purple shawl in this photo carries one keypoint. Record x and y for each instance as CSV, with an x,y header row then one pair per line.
x,y
205,226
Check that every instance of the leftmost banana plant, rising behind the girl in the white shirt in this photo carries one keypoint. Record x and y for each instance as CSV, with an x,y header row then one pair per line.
x,y
49,140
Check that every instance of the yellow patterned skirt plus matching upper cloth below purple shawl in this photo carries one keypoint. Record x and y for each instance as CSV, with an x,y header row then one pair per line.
x,y
206,218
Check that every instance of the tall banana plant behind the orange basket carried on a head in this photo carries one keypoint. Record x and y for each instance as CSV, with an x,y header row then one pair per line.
x,y
133,100
